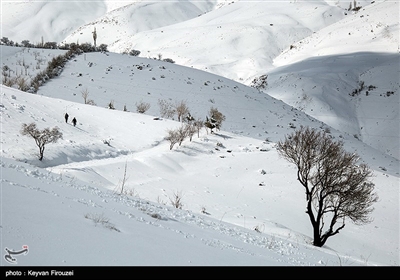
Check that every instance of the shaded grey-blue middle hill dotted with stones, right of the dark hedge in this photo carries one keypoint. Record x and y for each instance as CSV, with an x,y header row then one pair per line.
x,y
127,81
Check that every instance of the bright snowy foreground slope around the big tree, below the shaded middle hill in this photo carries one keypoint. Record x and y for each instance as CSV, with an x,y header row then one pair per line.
x,y
225,195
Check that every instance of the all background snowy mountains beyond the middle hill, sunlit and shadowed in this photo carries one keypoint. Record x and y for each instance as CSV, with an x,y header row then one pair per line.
x,y
242,40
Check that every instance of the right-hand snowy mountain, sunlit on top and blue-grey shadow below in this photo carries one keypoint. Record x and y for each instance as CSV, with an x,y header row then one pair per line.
x,y
347,75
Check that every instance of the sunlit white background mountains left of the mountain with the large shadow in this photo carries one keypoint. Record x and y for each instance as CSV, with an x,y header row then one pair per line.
x,y
234,39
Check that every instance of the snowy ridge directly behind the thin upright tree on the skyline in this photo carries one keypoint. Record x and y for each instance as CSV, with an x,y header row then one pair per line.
x,y
121,24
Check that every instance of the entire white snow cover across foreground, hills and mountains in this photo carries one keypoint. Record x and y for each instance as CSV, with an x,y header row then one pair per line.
x,y
242,204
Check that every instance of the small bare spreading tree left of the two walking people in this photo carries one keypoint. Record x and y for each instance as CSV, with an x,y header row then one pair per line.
x,y
42,137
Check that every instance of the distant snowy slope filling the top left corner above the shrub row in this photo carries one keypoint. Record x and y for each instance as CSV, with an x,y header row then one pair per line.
x,y
50,20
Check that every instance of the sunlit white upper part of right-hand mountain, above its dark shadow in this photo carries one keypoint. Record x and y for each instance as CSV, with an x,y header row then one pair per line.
x,y
374,28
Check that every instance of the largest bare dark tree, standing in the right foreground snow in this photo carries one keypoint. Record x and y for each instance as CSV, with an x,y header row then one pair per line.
x,y
336,186
